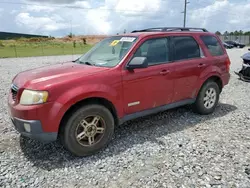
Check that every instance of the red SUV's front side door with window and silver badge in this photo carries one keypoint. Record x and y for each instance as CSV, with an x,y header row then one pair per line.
x,y
149,87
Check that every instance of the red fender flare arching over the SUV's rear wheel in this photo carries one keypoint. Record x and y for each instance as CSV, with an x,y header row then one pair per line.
x,y
206,74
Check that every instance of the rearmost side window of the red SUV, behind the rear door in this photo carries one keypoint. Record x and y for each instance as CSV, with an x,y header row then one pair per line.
x,y
213,45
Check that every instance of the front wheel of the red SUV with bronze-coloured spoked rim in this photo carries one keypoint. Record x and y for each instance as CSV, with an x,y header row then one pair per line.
x,y
80,125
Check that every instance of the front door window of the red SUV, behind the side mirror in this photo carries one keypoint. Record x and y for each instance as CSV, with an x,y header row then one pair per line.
x,y
156,51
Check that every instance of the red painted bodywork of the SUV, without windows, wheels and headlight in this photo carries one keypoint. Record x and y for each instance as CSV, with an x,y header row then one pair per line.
x,y
69,83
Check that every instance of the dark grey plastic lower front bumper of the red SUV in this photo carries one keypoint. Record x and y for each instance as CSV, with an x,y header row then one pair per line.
x,y
33,129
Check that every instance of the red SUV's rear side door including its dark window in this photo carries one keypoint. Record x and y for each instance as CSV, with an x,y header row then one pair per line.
x,y
189,63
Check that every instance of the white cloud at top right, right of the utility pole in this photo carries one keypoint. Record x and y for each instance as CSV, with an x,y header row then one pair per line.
x,y
222,15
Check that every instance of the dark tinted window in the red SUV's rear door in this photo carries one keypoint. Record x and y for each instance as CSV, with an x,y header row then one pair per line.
x,y
186,48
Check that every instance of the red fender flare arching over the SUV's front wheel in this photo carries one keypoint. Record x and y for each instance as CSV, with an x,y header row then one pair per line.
x,y
75,95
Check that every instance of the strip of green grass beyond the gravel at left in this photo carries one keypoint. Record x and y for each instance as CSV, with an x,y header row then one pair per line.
x,y
48,48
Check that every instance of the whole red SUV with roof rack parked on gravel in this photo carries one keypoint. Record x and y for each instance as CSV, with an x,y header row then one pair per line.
x,y
121,78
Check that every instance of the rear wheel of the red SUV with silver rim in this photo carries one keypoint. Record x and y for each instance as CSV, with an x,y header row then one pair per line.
x,y
205,107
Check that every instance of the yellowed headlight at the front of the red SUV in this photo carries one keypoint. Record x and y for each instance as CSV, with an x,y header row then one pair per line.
x,y
30,97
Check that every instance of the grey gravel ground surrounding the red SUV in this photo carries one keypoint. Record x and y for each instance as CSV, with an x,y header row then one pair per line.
x,y
177,148
